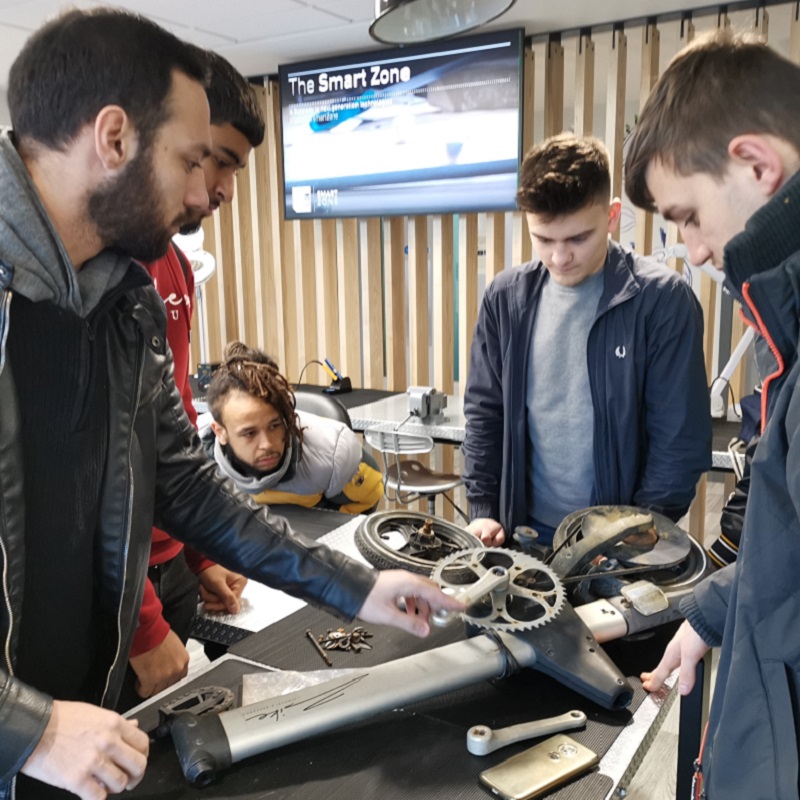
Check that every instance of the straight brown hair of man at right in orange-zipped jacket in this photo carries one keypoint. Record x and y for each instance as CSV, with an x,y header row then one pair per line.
x,y
720,86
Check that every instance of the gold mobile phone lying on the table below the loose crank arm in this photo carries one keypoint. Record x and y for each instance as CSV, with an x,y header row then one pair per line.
x,y
539,768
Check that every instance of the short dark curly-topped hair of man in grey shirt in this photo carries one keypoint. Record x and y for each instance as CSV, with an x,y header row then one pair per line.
x,y
564,174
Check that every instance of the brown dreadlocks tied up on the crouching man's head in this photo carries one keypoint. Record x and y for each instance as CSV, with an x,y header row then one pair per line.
x,y
254,372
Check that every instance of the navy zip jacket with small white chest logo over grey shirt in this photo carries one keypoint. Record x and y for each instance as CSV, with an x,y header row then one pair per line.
x,y
652,421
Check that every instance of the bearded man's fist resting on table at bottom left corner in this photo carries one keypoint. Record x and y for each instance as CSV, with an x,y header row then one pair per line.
x,y
89,751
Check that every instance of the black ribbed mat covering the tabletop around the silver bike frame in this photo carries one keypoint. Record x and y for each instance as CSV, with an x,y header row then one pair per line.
x,y
415,752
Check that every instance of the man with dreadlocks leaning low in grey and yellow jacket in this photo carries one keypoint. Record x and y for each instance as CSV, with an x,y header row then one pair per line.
x,y
276,453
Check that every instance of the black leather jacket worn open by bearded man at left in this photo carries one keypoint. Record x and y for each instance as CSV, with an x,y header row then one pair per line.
x,y
156,472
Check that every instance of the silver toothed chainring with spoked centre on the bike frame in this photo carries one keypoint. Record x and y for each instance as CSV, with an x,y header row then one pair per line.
x,y
534,595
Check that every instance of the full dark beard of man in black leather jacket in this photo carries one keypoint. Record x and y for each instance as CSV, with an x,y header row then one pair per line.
x,y
128,212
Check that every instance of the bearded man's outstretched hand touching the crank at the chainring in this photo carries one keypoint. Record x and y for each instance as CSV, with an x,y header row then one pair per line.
x,y
420,595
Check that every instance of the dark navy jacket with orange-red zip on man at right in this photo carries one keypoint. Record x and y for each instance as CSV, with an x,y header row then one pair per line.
x,y
752,607
